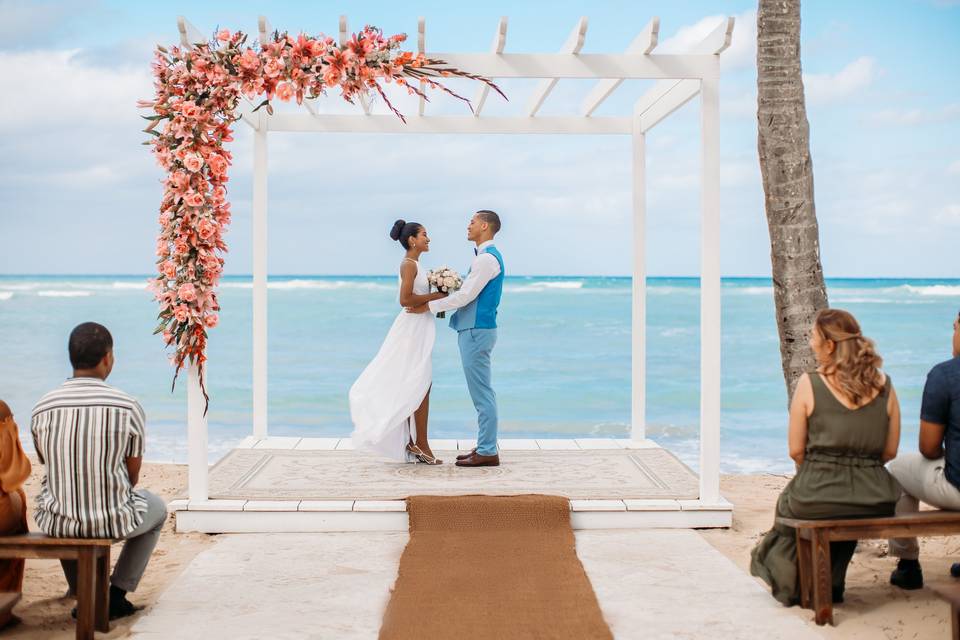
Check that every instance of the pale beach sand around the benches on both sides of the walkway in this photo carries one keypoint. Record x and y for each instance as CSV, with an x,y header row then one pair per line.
x,y
873,609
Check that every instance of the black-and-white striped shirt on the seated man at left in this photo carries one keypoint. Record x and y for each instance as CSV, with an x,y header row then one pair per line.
x,y
83,433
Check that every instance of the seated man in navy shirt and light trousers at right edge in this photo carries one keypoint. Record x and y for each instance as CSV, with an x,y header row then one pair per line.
x,y
933,475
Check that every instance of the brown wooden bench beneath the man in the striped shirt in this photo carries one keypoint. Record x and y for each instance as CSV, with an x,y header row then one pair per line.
x,y
93,572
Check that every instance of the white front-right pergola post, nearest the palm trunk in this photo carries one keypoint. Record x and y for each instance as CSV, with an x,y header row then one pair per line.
x,y
710,315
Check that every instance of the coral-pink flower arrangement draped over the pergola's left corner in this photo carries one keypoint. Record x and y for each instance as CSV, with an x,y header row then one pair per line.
x,y
197,91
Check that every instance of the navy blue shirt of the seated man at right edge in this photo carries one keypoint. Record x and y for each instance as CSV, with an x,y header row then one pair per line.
x,y
941,405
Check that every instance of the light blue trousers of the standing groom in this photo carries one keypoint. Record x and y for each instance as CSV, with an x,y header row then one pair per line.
x,y
475,348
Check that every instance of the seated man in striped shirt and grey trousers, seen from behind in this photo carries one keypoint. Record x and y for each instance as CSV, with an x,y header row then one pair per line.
x,y
90,437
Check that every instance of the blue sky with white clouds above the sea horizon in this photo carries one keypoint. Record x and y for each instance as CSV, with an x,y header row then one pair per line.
x,y
79,194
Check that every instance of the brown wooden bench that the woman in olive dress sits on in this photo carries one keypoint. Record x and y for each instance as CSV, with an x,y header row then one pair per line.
x,y
813,547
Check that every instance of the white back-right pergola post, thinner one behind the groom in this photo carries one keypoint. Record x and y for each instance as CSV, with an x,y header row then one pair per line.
x,y
638,391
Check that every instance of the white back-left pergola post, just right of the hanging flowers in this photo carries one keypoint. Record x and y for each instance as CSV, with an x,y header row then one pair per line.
x,y
260,278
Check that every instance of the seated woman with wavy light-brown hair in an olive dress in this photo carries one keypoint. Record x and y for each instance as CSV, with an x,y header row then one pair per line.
x,y
844,425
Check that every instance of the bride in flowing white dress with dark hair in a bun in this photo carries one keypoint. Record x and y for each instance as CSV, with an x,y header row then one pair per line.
x,y
390,401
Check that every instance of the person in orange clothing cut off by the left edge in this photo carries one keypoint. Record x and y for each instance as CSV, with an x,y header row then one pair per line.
x,y
14,470
